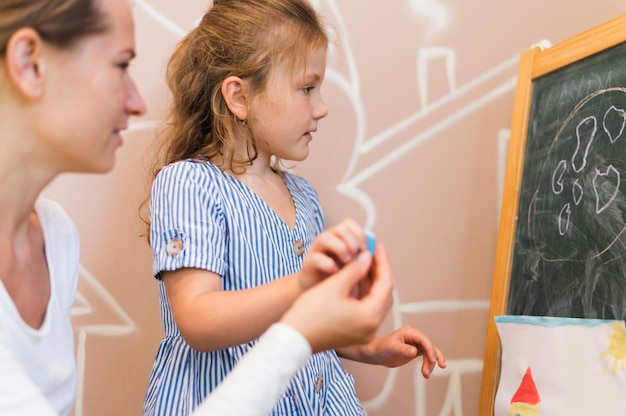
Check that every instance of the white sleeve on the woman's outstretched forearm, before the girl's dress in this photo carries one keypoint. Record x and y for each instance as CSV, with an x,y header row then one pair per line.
x,y
261,377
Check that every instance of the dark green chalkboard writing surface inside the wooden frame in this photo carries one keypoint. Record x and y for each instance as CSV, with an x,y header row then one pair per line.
x,y
569,257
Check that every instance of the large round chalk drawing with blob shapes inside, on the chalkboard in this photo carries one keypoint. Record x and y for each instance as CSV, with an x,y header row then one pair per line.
x,y
587,175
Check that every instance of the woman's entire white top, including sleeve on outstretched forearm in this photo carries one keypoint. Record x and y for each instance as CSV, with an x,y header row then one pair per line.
x,y
37,366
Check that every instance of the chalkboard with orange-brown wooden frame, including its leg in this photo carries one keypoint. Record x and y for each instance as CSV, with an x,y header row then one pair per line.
x,y
562,240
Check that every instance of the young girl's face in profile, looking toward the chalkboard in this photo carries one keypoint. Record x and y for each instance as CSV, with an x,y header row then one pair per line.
x,y
284,117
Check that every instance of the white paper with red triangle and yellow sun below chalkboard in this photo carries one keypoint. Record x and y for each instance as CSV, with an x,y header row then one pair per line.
x,y
578,366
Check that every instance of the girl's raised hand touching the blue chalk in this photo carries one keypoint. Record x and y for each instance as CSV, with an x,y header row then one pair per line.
x,y
330,250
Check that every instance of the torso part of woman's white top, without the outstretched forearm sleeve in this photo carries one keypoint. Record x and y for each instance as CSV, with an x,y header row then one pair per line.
x,y
38,366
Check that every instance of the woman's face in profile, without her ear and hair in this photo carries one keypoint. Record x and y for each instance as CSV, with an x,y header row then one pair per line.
x,y
89,95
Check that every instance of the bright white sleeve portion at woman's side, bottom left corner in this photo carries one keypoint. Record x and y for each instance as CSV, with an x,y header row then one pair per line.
x,y
20,396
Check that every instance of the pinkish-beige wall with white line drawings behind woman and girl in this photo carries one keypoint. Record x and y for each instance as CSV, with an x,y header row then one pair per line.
x,y
420,102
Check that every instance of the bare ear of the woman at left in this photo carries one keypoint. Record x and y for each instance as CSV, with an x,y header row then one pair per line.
x,y
25,63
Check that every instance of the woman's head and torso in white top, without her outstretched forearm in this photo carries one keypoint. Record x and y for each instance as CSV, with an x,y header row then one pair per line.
x,y
65,95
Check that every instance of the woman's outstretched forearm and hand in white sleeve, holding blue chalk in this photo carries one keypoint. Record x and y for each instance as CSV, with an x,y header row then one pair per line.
x,y
326,316
